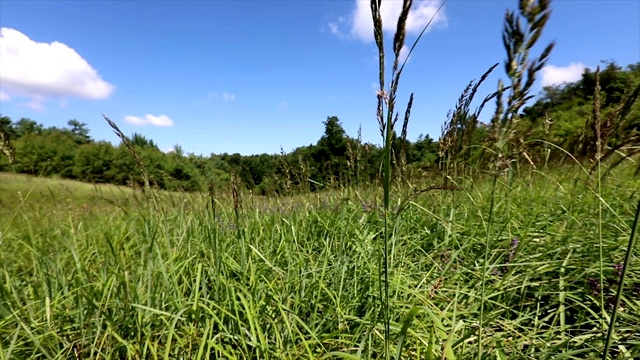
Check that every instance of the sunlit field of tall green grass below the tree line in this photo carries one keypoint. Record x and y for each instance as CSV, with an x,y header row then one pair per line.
x,y
94,272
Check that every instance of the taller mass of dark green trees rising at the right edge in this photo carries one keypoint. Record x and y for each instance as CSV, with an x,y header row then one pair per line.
x,y
564,115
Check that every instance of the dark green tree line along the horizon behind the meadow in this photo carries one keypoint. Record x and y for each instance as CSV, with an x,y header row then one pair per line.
x,y
596,116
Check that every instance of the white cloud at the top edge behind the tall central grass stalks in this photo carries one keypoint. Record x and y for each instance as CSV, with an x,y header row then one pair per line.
x,y
420,14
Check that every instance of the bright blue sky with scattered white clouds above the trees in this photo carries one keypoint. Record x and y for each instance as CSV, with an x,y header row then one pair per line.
x,y
254,76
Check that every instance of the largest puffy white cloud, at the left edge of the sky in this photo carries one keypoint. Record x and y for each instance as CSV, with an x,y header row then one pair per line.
x,y
45,70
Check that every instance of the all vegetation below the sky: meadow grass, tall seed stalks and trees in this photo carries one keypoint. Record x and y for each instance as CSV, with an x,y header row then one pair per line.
x,y
511,239
